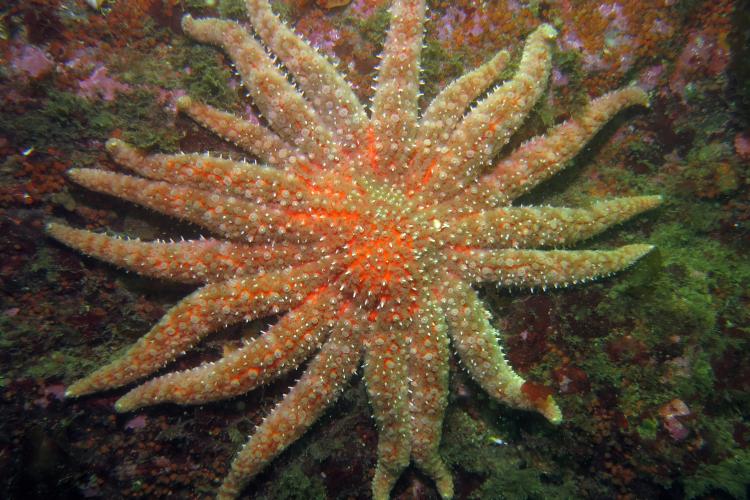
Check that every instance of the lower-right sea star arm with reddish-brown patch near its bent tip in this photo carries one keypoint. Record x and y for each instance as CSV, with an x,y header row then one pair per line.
x,y
476,342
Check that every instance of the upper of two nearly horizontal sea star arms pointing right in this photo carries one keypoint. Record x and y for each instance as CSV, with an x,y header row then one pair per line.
x,y
529,227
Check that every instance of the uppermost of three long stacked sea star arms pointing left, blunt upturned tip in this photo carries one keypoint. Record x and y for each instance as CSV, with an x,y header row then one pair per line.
x,y
256,183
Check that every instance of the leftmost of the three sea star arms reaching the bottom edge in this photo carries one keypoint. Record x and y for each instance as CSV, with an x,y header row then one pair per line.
x,y
321,383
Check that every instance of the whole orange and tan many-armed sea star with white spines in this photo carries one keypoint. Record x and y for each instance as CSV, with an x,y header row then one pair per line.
x,y
366,230
